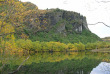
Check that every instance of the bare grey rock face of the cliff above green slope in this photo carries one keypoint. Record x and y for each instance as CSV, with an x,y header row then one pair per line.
x,y
65,20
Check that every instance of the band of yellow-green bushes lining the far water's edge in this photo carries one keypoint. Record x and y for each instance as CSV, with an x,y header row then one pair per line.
x,y
27,46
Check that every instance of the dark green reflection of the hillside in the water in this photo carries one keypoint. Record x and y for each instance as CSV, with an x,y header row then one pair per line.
x,y
83,66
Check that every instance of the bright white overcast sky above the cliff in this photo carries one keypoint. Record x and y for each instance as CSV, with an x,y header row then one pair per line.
x,y
94,10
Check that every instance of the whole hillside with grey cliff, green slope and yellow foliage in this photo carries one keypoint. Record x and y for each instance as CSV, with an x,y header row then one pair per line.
x,y
26,21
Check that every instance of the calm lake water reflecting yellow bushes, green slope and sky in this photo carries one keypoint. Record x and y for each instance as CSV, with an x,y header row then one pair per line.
x,y
57,63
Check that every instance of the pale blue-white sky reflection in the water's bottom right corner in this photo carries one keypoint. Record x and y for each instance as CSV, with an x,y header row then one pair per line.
x,y
102,68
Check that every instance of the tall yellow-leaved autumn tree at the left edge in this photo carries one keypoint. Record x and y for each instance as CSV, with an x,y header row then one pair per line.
x,y
10,15
